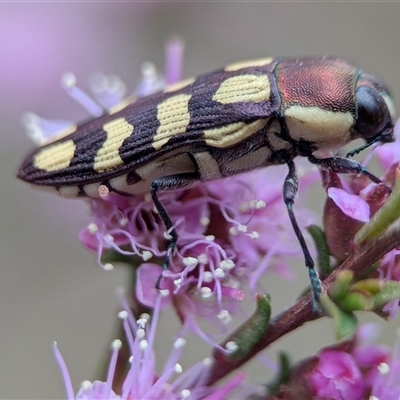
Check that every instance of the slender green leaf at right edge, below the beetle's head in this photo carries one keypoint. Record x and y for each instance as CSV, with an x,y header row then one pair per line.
x,y
384,217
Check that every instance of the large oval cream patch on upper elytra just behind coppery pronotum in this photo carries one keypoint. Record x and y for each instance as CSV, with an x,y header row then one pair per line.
x,y
243,88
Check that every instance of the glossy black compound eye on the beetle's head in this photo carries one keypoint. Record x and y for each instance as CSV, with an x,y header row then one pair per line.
x,y
371,113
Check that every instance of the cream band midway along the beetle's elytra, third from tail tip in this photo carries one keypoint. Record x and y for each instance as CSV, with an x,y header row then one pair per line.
x,y
174,117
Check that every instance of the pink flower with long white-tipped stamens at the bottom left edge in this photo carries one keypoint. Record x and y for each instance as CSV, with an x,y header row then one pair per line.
x,y
142,381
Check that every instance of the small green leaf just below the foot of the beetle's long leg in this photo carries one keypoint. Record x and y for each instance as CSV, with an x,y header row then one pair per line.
x,y
345,323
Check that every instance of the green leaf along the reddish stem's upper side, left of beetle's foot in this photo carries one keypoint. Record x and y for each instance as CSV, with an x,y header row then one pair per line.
x,y
250,332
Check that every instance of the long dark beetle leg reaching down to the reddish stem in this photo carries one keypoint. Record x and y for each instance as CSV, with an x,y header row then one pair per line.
x,y
290,190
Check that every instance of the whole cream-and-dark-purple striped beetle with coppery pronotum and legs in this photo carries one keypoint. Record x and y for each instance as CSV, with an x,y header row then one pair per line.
x,y
246,116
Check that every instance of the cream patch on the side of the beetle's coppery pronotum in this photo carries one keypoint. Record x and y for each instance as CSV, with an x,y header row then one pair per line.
x,y
330,129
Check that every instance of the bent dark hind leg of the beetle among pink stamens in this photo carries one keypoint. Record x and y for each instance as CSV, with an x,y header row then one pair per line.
x,y
165,183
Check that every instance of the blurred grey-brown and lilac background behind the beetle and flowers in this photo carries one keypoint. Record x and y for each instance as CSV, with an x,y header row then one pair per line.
x,y
50,286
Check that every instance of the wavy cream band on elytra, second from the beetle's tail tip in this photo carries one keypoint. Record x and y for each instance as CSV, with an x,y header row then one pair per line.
x,y
108,156
